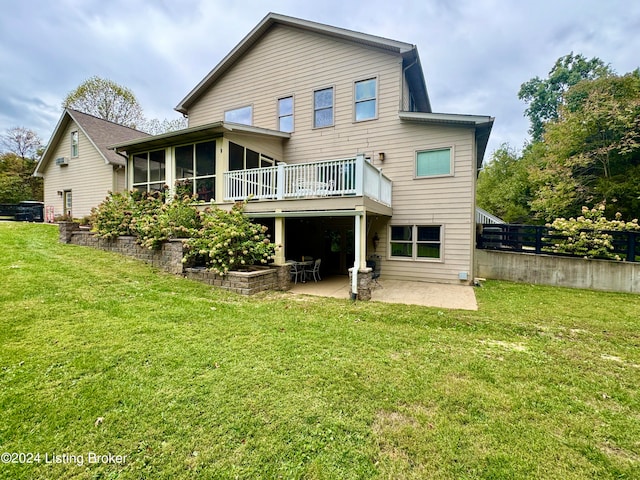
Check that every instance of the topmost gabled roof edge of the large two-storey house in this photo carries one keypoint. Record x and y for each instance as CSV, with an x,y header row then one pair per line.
x,y
407,51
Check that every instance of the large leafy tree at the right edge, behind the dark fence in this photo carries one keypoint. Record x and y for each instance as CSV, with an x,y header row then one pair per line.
x,y
592,150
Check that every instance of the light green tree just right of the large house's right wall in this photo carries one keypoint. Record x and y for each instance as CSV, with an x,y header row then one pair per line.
x,y
504,188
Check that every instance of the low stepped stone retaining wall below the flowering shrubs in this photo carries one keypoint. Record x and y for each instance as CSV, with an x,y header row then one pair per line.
x,y
169,259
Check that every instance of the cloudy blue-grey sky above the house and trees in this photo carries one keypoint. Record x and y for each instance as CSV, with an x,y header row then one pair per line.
x,y
475,53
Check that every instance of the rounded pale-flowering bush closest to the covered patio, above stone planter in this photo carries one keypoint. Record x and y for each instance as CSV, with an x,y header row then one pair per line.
x,y
229,241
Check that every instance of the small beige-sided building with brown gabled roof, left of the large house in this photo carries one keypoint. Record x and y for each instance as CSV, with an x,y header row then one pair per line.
x,y
78,168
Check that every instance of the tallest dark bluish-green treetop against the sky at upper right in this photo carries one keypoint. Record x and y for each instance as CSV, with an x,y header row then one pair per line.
x,y
544,96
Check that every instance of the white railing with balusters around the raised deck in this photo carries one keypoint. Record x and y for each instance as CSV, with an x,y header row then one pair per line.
x,y
330,178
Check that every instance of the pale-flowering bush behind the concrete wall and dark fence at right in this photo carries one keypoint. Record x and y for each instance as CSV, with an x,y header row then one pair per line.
x,y
588,235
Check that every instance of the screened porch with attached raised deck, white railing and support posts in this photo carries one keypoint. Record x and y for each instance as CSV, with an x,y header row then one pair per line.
x,y
223,163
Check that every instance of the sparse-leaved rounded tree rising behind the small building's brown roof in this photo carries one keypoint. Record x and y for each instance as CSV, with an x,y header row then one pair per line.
x,y
106,99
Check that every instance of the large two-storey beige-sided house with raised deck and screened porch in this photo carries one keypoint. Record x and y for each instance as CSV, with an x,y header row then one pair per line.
x,y
331,136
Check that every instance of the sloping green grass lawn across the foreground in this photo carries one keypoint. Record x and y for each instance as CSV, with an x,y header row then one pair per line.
x,y
104,354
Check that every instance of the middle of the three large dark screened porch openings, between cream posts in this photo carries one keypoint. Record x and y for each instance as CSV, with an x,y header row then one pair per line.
x,y
196,169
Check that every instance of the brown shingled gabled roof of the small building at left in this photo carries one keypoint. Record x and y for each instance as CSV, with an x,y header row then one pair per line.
x,y
101,133
